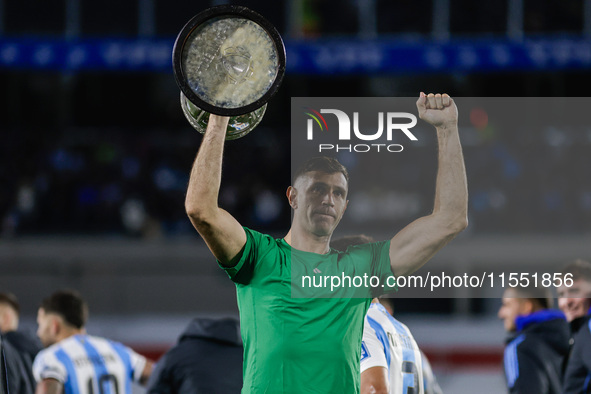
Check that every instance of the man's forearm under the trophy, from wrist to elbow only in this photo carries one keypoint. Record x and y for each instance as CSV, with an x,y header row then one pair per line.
x,y
204,183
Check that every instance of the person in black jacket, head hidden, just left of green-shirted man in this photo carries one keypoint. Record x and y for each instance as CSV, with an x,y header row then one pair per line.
x,y
206,359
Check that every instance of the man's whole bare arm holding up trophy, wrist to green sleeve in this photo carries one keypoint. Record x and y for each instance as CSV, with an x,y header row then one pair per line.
x,y
224,236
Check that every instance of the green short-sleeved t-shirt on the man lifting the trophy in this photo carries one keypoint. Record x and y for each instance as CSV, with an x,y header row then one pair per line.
x,y
300,345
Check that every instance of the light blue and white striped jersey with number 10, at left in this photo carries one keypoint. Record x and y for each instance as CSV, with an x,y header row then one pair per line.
x,y
90,365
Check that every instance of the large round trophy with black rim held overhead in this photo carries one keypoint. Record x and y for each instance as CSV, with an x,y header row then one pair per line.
x,y
228,60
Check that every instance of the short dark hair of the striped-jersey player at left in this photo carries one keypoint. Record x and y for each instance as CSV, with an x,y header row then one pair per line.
x,y
69,305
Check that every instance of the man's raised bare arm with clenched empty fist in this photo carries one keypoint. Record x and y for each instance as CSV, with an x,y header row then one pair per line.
x,y
415,244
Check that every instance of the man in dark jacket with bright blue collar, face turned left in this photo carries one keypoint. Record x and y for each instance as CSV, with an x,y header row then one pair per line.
x,y
538,341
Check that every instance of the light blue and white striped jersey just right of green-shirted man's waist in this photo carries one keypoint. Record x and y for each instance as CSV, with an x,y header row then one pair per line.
x,y
388,343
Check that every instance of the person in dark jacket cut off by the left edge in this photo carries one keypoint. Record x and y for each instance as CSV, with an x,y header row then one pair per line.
x,y
19,345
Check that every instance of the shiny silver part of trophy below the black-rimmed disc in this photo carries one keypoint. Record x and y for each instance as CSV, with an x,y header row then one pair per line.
x,y
238,126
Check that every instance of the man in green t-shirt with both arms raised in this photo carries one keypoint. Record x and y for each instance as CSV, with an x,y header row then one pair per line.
x,y
312,345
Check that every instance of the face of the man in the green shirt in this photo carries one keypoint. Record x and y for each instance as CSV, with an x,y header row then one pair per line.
x,y
320,202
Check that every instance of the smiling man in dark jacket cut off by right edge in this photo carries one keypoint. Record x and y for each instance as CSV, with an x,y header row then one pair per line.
x,y
575,301
